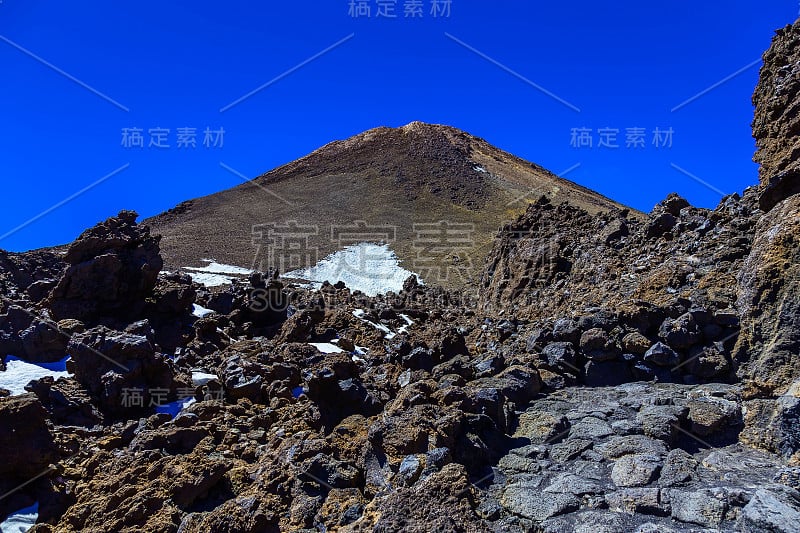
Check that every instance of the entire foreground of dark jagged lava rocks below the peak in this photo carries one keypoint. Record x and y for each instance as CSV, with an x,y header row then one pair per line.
x,y
607,373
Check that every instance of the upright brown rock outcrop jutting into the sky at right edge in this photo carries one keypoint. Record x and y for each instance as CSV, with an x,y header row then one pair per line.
x,y
776,125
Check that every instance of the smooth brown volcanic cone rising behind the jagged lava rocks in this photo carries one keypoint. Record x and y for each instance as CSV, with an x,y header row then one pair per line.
x,y
433,192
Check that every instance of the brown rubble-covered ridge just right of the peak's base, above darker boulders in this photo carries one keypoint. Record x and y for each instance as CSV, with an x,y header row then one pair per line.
x,y
558,258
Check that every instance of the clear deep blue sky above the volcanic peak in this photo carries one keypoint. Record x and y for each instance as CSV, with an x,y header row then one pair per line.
x,y
177,64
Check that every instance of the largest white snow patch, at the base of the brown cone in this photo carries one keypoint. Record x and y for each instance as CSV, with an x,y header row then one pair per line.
x,y
370,268
